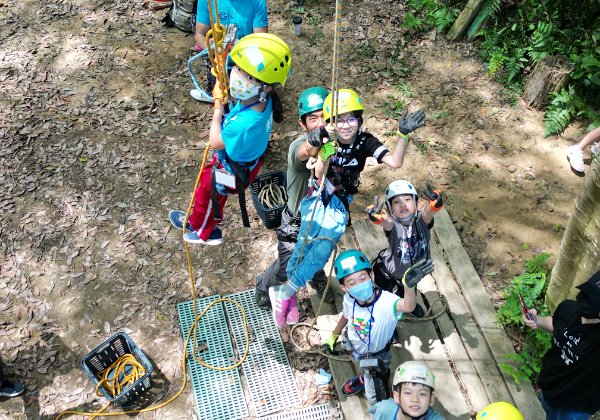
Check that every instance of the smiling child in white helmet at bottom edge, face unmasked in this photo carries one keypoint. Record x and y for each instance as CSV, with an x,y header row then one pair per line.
x,y
414,395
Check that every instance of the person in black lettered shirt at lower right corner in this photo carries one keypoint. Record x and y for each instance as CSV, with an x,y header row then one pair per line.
x,y
570,374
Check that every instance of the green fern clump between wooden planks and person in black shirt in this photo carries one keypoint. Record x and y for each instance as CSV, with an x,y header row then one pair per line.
x,y
531,285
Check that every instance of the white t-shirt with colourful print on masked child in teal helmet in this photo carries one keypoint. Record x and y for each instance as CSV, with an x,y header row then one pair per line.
x,y
380,319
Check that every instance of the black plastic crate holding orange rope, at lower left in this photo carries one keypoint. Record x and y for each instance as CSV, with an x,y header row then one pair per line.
x,y
105,354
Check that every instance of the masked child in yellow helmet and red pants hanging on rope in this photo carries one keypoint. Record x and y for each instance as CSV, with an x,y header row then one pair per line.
x,y
239,138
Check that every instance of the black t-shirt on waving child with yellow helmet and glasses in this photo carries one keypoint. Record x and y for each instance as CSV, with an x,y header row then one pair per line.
x,y
349,161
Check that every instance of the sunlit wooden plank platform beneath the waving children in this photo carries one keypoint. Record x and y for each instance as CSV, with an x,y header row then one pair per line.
x,y
462,347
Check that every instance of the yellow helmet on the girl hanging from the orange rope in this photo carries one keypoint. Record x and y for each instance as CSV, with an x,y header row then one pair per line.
x,y
265,57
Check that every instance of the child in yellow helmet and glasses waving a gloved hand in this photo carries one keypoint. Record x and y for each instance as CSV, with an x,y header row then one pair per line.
x,y
354,146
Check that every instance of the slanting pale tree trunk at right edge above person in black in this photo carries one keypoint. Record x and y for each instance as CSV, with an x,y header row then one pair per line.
x,y
579,255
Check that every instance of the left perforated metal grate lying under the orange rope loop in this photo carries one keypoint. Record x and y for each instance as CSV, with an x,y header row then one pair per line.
x,y
218,394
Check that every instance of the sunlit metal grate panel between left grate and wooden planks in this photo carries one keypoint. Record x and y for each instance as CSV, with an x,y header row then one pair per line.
x,y
267,369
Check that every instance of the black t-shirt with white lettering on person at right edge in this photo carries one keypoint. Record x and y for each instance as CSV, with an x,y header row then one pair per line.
x,y
570,375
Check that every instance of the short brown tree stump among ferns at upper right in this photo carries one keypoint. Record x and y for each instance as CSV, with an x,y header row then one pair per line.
x,y
550,74
